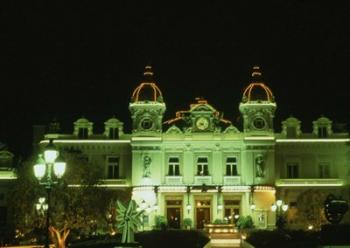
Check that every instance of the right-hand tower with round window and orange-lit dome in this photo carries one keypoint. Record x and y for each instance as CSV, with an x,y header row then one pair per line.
x,y
257,106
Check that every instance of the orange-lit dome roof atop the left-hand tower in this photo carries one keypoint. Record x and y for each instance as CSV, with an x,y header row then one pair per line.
x,y
147,91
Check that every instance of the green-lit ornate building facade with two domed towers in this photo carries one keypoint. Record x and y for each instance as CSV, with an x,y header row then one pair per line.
x,y
198,165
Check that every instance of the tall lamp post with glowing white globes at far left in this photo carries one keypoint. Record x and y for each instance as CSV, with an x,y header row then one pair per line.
x,y
48,169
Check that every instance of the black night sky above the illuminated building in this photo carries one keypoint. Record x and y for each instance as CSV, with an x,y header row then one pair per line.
x,y
85,58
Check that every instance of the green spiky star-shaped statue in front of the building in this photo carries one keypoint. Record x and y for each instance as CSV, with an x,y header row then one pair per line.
x,y
128,220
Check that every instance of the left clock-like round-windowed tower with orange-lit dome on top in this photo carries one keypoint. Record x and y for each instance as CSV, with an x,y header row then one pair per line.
x,y
147,107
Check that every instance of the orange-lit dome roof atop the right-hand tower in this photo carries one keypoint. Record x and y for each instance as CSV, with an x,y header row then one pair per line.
x,y
257,90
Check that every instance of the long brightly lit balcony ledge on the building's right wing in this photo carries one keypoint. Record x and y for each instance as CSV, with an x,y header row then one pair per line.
x,y
310,182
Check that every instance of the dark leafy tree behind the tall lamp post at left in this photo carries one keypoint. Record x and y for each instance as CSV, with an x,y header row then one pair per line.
x,y
76,203
